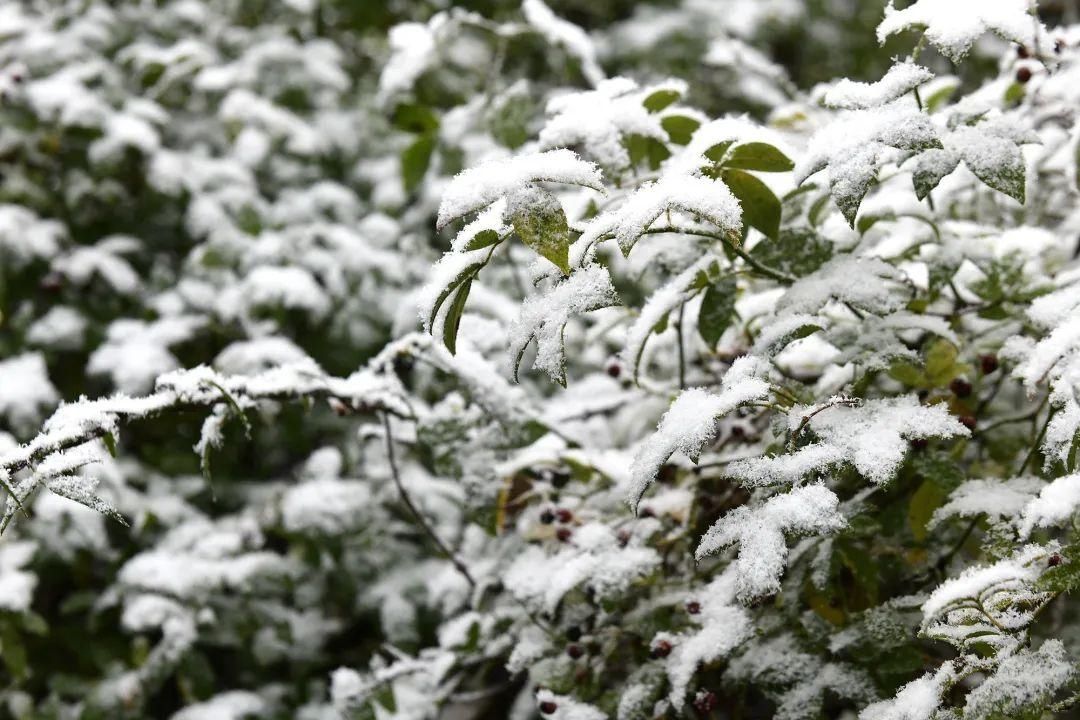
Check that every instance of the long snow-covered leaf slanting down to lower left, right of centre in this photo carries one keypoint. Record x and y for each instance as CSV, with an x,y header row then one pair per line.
x,y
691,423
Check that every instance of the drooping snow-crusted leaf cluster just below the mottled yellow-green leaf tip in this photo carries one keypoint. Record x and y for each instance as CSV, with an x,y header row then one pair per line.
x,y
545,318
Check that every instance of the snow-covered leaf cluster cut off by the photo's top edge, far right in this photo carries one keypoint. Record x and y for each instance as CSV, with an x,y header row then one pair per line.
x,y
955,26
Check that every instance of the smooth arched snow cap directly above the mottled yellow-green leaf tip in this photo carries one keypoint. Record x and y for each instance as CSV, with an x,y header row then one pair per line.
x,y
479,187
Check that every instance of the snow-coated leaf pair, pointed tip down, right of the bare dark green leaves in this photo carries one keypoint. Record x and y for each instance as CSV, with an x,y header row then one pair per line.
x,y
856,145
